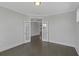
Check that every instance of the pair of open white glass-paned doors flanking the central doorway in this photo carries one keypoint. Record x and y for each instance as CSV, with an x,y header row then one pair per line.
x,y
27,31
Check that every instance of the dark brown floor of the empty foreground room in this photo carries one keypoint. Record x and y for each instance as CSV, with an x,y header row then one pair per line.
x,y
40,48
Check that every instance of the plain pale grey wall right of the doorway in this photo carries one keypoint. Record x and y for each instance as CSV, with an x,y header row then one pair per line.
x,y
62,28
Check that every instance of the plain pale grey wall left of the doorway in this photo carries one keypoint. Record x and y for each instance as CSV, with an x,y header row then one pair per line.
x,y
11,29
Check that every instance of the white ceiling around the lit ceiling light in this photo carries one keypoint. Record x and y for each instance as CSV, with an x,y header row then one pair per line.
x,y
45,9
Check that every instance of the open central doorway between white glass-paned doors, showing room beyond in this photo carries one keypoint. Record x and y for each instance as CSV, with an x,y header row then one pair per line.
x,y
36,31
